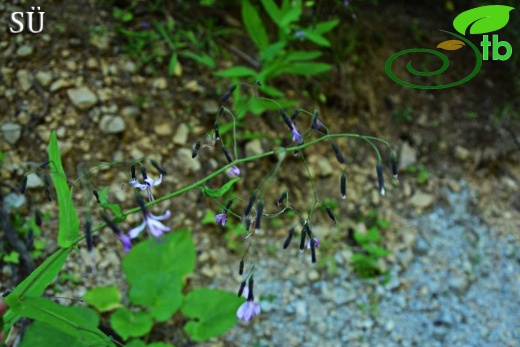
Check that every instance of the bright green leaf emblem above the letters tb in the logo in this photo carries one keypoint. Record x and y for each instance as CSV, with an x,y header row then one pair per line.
x,y
482,20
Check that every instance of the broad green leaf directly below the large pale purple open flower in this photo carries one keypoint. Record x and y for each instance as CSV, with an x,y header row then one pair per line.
x,y
174,252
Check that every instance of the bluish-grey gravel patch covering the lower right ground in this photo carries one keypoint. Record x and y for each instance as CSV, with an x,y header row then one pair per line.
x,y
461,287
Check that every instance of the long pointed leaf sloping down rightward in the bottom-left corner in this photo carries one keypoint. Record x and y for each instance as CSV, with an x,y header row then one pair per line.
x,y
80,322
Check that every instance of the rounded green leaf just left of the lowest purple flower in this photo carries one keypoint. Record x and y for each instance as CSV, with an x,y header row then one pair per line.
x,y
213,311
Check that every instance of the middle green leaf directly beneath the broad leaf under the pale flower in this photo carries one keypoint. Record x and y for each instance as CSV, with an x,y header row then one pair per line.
x,y
160,292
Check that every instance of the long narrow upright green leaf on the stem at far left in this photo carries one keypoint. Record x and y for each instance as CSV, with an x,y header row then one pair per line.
x,y
68,217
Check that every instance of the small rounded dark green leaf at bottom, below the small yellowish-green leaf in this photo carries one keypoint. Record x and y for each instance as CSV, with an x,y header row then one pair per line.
x,y
131,324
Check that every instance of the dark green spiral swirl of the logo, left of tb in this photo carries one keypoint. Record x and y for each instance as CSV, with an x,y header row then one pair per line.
x,y
445,65
